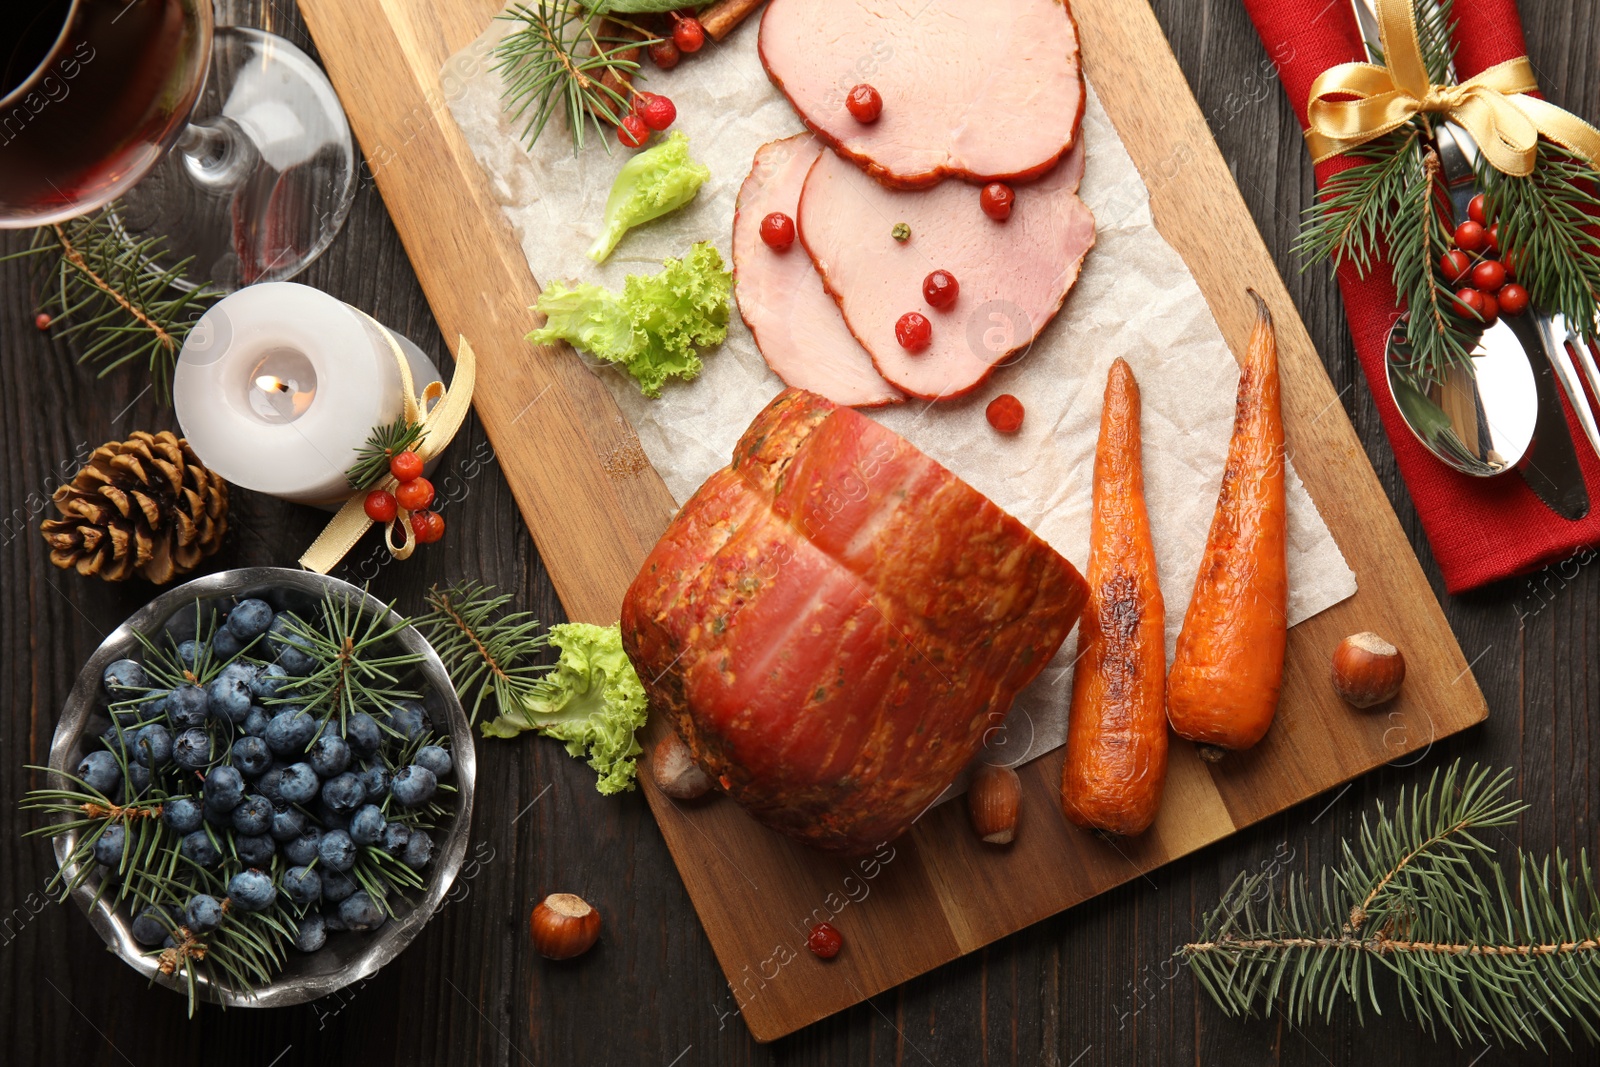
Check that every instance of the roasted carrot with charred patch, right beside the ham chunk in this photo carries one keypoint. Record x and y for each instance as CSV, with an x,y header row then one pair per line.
x,y
1116,765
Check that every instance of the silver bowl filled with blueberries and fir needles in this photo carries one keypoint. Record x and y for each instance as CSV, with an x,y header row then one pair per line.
x,y
262,788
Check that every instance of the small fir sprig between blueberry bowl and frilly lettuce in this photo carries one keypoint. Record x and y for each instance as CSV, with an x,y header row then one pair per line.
x,y
486,650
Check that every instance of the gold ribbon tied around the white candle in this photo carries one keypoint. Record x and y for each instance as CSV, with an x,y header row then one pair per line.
x,y
439,423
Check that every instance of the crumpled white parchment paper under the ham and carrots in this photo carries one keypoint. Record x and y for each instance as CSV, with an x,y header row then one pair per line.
x,y
1135,300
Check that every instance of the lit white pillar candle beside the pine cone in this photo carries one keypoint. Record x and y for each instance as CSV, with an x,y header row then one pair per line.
x,y
281,385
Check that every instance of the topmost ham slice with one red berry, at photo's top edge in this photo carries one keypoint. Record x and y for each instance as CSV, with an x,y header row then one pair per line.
x,y
986,92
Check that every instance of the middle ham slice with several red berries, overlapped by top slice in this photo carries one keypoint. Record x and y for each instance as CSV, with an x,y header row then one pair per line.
x,y
1014,276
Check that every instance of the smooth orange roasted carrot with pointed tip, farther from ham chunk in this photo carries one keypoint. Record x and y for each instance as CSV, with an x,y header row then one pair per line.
x,y
1223,690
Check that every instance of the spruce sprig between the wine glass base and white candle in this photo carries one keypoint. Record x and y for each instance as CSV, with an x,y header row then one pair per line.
x,y
118,295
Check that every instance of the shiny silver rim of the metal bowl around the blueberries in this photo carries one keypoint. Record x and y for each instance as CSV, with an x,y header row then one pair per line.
x,y
348,957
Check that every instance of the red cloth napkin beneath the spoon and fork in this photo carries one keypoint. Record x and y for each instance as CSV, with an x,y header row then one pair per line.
x,y
1481,529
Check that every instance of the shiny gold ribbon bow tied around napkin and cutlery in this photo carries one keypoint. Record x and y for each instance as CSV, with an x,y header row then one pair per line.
x,y
1359,102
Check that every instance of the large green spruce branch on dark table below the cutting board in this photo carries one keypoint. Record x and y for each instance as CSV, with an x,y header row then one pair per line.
x,y
1418,911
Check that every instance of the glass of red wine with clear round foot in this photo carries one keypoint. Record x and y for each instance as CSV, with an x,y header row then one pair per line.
x,y
228,143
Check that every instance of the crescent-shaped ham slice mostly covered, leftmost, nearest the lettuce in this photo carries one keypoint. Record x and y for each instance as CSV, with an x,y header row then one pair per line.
x,y
798,326
